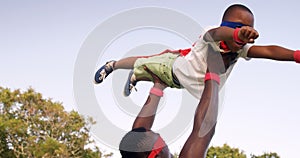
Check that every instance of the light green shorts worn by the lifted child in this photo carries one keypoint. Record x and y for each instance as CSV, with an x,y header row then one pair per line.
x,y
160,65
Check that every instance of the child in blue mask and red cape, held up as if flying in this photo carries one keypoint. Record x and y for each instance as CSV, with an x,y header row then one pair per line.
x,y
187,68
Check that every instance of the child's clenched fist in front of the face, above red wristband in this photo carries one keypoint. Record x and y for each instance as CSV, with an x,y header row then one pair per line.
x,y
248,34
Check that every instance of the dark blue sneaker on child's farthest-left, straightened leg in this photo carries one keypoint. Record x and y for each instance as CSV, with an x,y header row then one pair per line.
x,y
104,71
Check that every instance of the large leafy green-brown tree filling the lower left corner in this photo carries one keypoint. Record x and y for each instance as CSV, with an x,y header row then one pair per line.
x,y
31,126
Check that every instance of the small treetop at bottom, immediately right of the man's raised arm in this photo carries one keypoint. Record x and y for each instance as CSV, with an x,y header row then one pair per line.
x,y
225,152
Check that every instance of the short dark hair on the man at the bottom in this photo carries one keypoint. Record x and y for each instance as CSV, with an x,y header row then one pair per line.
x,y
138,143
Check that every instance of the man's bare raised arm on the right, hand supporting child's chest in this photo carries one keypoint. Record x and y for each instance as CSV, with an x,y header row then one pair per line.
x,y
206,113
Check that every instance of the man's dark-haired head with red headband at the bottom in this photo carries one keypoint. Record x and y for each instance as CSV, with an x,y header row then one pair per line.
x,y
140,143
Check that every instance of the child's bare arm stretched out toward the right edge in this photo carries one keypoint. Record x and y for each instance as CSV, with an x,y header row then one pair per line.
x,y
273,52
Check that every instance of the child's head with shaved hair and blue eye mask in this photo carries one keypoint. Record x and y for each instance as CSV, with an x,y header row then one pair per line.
x,y
237,15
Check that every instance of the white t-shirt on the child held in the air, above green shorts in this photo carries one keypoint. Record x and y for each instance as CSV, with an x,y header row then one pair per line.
x,y
190,70
